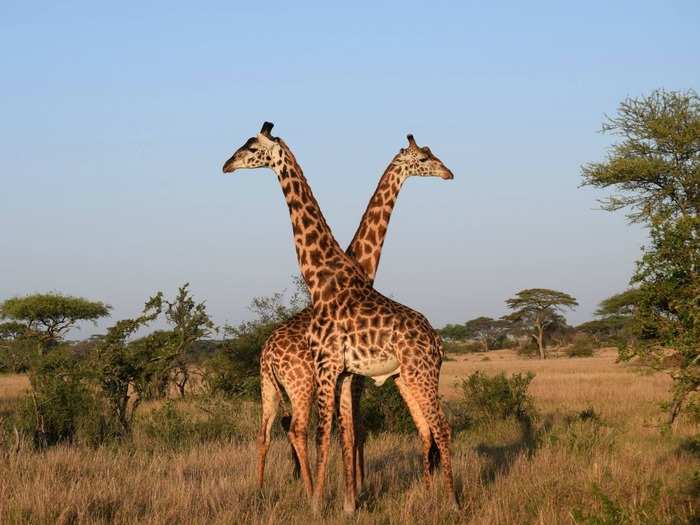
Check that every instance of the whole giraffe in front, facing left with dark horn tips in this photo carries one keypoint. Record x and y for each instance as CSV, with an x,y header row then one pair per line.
x,y
353,328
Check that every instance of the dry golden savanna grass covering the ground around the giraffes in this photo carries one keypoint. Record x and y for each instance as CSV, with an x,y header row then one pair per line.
x,y
594,454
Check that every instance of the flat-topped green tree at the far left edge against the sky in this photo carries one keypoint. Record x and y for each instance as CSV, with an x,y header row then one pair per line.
x,y
52,315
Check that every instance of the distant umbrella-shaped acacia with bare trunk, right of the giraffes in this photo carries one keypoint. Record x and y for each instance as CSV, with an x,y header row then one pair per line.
x,y
535,309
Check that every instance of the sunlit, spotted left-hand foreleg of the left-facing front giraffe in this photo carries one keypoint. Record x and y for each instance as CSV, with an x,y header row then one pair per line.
x,y
326,378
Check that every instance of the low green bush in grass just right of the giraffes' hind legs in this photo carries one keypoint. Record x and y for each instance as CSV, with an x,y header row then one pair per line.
x,y
485,399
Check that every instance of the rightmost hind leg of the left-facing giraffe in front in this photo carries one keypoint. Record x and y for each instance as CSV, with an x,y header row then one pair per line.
x,y
425,394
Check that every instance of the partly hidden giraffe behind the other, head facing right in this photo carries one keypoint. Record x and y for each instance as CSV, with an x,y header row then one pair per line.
x,y
286,360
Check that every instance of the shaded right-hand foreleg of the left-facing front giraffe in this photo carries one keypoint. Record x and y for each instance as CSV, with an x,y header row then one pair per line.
x,y
346,421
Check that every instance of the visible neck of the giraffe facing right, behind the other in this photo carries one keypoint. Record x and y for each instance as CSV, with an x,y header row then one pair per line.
x,y
366,245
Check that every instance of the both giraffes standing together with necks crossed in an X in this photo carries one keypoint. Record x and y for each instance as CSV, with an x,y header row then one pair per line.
x,y
351,331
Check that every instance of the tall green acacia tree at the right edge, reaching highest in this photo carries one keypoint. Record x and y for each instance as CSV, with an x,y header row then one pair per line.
x,y
655,171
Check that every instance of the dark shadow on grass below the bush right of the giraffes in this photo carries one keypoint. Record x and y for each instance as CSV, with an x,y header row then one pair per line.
x,y
502,457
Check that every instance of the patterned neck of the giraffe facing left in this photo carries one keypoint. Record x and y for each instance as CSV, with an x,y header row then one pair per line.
x,y
323,264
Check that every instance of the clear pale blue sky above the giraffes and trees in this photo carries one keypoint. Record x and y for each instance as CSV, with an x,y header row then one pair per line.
x,y
116,119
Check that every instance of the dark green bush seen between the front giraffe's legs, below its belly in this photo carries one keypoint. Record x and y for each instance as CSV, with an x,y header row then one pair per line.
x,y
383,409
